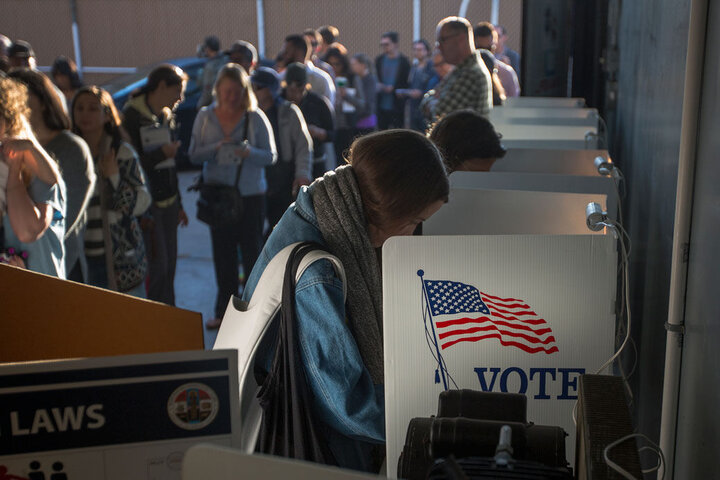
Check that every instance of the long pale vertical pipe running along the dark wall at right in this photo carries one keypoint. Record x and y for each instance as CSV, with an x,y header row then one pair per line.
x,y
681,235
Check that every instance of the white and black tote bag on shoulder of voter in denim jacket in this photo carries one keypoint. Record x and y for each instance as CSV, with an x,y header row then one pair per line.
x,y
280,402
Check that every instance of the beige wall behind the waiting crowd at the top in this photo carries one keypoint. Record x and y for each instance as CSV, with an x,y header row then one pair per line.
x,y
130,33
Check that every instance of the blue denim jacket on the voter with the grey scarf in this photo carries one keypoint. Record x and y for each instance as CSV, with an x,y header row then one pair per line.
x,y
345,399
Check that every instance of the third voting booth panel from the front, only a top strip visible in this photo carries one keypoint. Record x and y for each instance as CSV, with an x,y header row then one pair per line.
x,y
539,183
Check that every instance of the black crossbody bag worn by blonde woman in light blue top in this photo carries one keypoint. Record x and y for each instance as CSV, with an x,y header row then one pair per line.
x,y
222,205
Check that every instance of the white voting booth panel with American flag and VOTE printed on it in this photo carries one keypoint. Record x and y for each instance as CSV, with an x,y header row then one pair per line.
x,y
521,314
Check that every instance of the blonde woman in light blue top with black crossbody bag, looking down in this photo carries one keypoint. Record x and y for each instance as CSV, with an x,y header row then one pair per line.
x,y
223,123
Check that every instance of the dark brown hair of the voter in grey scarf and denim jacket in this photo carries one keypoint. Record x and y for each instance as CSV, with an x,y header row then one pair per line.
x,y
400,173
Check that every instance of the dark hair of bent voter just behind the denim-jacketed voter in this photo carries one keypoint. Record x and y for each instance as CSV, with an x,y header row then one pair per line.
x,y
464,135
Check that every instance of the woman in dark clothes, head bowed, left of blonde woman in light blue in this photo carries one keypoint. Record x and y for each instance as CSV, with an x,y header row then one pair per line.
x,y
150,122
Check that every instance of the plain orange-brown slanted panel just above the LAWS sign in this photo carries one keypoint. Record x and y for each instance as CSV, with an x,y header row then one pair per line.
x,y
44,318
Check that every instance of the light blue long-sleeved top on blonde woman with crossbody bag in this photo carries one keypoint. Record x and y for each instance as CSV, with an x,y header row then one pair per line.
x,y
207,135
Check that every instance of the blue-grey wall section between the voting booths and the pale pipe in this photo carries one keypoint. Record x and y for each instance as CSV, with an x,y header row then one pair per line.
x,y
645,139
